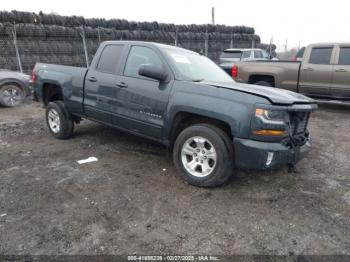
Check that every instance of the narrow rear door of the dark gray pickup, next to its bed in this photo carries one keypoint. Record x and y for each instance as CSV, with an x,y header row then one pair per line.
x,y
100,84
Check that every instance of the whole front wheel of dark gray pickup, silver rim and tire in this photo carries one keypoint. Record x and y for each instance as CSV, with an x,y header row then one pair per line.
x,y
203,155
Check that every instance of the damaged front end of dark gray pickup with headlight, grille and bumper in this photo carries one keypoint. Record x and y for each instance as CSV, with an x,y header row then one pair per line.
x,y
278,137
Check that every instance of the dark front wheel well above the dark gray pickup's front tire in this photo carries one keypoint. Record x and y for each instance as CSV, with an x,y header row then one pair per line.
x,y
183,120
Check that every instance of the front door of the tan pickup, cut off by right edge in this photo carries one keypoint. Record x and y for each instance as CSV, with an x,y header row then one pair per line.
x,y
341,75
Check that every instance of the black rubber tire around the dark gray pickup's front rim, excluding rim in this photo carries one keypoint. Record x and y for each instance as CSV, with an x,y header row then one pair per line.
x,y
222,144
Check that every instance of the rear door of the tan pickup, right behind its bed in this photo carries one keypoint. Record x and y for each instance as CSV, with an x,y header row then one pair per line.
x,y
316,71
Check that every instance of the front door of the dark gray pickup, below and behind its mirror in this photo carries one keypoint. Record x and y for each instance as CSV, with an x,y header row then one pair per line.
x,y
143,101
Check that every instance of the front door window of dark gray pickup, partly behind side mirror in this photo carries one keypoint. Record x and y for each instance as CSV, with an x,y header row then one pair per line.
x,y
139,56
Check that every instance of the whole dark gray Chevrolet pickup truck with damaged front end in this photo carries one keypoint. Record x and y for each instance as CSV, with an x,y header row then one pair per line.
x,y
183,100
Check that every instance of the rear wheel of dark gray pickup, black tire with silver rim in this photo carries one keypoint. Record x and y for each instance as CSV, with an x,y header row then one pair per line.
x,y
66,123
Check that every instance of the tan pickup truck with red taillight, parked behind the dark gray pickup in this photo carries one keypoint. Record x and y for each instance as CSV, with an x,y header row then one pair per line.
x,y
323,73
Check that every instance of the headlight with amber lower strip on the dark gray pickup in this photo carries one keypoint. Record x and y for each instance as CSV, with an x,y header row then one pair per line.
x,y
268,122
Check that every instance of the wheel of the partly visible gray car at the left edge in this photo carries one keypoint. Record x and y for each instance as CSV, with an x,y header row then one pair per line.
x,y
11,95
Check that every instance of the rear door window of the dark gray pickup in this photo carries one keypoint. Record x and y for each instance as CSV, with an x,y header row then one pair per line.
x,y
109,60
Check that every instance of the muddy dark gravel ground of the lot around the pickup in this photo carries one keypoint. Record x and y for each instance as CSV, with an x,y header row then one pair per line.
x,y
132,201
